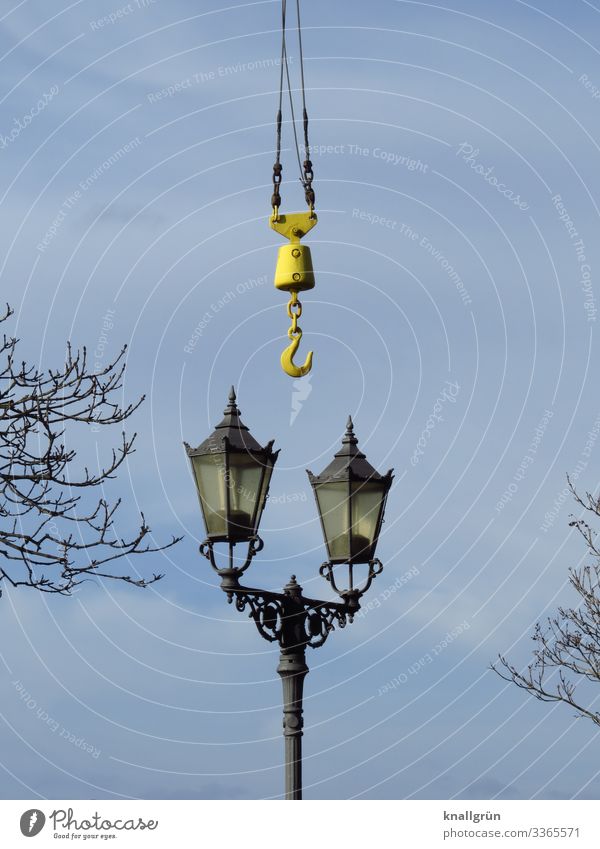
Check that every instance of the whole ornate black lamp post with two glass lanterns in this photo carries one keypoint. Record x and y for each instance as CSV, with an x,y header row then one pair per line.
x,y
232,474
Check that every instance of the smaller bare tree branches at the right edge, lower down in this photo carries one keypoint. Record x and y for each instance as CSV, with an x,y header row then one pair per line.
x,y
567,650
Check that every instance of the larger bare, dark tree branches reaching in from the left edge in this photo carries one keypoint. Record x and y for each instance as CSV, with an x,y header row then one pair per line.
x,y
50,539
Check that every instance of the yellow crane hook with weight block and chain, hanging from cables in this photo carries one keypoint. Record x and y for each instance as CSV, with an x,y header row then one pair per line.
x,y
294,273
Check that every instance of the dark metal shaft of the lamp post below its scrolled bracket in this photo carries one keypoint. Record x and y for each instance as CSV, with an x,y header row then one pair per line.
x,y
293,669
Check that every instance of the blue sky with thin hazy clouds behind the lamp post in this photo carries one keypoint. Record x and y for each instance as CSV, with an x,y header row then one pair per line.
x,y
455,154
